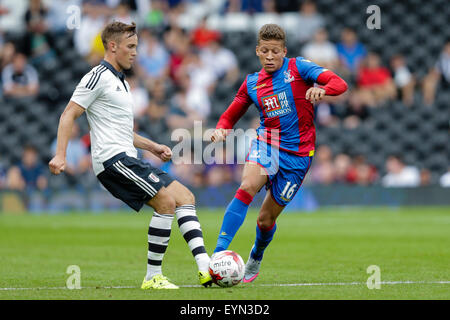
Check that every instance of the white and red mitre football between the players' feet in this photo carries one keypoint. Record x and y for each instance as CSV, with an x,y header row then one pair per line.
x,y
226,268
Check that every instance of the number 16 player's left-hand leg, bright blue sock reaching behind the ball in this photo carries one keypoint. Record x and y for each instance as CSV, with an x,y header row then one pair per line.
x,y
253,179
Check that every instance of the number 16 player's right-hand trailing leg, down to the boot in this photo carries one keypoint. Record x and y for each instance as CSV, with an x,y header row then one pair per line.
x,y
265,229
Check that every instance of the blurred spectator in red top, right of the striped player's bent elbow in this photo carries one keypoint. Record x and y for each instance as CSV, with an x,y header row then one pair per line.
x,y
375,84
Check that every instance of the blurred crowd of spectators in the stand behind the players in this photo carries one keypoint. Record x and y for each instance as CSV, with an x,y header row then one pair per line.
x,y
178,70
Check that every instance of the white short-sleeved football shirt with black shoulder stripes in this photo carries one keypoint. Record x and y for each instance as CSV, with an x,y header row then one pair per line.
x,y
106,96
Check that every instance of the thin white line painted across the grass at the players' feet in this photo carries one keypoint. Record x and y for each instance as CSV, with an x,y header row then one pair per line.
x,y
261,285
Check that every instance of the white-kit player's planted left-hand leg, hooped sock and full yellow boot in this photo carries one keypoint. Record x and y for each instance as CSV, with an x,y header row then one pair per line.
x,y
158,239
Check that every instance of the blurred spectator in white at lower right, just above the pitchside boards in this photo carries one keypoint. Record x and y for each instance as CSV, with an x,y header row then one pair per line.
x,y
400,175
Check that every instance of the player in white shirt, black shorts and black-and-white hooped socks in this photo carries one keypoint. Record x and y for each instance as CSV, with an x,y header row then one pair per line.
x,y
105,96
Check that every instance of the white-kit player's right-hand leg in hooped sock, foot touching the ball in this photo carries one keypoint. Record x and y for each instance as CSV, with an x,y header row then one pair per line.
x,y
190,228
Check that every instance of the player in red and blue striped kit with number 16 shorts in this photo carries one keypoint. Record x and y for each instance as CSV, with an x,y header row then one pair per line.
x,y
284,94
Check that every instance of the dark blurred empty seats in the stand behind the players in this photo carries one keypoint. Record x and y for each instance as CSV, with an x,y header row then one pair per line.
x,y
411,28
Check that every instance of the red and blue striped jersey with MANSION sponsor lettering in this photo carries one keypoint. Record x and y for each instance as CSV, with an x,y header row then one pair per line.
x,y
286,117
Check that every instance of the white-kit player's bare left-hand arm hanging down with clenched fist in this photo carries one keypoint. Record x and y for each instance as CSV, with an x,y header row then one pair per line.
x,y
68,117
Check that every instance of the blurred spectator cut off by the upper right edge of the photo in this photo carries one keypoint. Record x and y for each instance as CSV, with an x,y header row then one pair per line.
x,y
440,73
